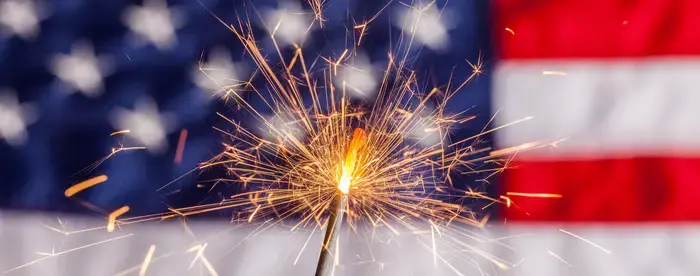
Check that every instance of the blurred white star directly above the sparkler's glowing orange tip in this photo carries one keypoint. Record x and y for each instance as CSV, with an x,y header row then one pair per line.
x,y
358,78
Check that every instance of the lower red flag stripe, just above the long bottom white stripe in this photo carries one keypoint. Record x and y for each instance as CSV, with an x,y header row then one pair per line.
x,y
621,190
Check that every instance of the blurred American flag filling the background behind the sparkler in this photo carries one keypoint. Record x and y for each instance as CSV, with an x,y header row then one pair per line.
x,y
604,80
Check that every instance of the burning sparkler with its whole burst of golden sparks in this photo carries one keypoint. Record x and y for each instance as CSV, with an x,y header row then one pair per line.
x,y
383,175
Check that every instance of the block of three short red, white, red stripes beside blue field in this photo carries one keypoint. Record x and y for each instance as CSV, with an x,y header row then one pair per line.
x,y
612,86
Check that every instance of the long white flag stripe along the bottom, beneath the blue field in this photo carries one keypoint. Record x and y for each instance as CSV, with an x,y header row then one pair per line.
x,y
525,250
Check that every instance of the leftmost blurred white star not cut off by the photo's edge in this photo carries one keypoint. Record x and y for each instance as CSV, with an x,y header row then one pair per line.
x,y
81,70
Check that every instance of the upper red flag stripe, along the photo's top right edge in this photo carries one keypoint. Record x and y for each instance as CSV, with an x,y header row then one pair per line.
x,y
596,28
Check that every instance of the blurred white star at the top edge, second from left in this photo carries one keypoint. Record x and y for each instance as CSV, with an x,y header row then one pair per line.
x,y
154,23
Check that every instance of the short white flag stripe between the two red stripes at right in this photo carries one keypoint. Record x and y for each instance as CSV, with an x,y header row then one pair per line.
x,y
601,108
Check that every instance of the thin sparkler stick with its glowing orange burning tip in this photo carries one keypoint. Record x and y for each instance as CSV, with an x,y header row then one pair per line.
x,y
339,204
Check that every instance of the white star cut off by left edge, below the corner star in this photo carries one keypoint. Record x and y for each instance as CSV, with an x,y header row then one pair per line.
x,y
14,118
